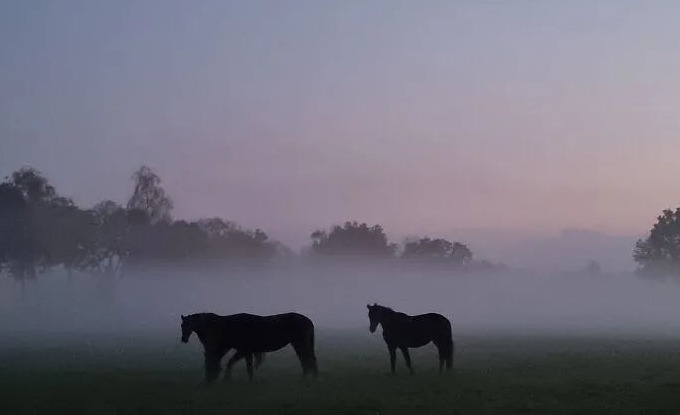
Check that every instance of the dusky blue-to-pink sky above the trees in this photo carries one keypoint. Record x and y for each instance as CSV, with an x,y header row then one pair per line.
x,y
428,117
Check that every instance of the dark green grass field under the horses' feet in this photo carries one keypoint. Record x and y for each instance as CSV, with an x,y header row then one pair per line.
x,y
493,375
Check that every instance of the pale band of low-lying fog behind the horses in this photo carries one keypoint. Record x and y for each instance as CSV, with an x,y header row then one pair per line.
x,y
336,297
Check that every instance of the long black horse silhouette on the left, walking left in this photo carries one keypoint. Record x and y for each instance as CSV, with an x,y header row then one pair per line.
x,y
251,336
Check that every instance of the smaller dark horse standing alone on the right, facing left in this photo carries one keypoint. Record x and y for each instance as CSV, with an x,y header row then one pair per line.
x,y
403,331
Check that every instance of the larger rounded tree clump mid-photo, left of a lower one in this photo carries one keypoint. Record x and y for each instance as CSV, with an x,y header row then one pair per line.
x,y
353,239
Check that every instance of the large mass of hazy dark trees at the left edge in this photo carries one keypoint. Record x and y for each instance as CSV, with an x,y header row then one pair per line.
x,y
40,229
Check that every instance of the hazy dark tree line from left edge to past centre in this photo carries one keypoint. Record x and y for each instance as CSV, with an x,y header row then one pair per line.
x,y
41,229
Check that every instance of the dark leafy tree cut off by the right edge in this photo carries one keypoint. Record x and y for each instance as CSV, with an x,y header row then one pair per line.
x,y
659,254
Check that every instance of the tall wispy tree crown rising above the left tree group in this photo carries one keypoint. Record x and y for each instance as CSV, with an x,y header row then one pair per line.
x,y
149,196
